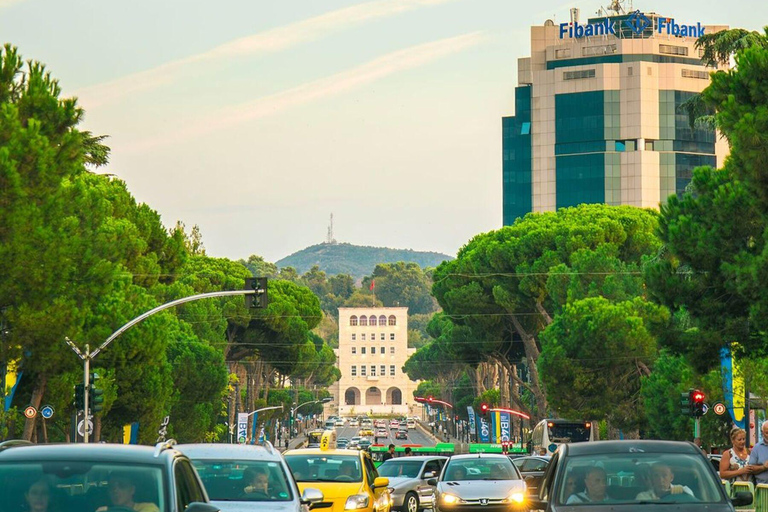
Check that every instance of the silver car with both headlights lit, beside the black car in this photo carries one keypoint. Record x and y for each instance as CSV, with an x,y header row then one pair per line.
x,y
479,483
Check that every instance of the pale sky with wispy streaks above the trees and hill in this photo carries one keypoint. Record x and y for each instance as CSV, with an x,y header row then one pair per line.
x,y
258,119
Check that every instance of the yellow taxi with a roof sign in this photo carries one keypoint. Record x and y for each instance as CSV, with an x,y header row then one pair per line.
x,y
347,478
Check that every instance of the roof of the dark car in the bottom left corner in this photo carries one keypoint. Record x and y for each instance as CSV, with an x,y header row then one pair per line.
x,y
102,452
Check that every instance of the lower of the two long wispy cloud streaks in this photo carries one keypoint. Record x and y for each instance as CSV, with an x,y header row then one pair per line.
x,y
401,60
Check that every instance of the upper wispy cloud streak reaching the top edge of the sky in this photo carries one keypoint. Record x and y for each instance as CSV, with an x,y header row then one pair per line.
x,y
270,41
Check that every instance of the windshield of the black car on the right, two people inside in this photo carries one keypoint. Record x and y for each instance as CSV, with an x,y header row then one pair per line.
x,y
638,477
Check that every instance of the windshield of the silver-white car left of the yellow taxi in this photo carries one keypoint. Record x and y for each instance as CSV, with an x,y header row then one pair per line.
x,y
243,480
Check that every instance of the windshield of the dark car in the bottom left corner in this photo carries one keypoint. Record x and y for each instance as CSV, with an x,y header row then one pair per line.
x,y
80,485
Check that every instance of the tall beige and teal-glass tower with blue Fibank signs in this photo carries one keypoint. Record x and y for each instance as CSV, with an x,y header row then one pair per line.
x,y
597,117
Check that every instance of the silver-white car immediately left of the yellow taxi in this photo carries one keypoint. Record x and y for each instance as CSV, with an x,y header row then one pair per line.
x,y
241,478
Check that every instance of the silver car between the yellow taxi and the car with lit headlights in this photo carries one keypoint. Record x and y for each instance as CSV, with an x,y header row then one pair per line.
x,y
408,481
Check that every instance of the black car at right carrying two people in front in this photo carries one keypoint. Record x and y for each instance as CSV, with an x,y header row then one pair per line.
x,y
637,475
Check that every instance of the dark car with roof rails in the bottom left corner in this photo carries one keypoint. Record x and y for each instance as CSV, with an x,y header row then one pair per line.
x,y
83,477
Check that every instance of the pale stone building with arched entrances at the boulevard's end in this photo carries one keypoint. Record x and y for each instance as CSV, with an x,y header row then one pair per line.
x,y
373,347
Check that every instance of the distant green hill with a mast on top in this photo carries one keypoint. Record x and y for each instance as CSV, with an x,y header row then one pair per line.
x,y
356,260
